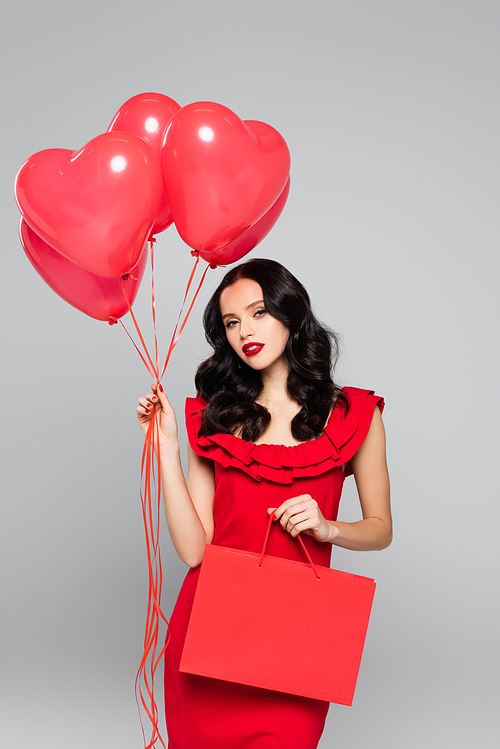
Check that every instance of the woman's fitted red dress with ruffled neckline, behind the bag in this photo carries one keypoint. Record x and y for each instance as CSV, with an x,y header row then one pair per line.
x,y
205,713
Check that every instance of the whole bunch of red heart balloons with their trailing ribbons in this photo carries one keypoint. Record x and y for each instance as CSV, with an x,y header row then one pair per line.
x,y
87,217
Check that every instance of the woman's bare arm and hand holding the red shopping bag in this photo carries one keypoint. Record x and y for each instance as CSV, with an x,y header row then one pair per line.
x,y
374,531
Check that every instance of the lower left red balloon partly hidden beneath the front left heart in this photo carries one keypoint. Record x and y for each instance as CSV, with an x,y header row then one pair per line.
x,y
98,297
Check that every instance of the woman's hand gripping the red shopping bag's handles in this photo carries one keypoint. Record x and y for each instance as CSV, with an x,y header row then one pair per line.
x,y
302,515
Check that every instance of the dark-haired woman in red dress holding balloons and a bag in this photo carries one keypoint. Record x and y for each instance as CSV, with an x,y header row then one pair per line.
x,y
268,431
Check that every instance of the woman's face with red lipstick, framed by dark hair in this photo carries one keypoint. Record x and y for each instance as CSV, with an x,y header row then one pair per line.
x,y
258,338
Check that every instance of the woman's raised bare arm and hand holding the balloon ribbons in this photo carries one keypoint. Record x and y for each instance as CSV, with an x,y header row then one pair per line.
x,y
188,506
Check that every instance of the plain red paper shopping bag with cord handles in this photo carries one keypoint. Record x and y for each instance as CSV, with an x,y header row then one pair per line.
x,y
278,624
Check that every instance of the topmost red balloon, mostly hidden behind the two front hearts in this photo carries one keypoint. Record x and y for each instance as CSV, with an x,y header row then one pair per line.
x,y
147,115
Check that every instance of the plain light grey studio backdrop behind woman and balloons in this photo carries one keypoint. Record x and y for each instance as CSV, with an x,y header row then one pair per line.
x,y
391,113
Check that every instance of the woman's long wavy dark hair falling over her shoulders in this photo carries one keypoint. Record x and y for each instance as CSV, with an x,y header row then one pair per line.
x,y
231,388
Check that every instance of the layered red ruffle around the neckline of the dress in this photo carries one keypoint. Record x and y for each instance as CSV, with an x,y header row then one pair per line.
x,y
341,439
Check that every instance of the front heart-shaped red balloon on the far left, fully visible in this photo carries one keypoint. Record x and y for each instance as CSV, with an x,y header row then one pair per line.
x,y
95,206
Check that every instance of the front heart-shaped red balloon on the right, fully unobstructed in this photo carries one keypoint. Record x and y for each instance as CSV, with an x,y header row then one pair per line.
x,y
221,174
